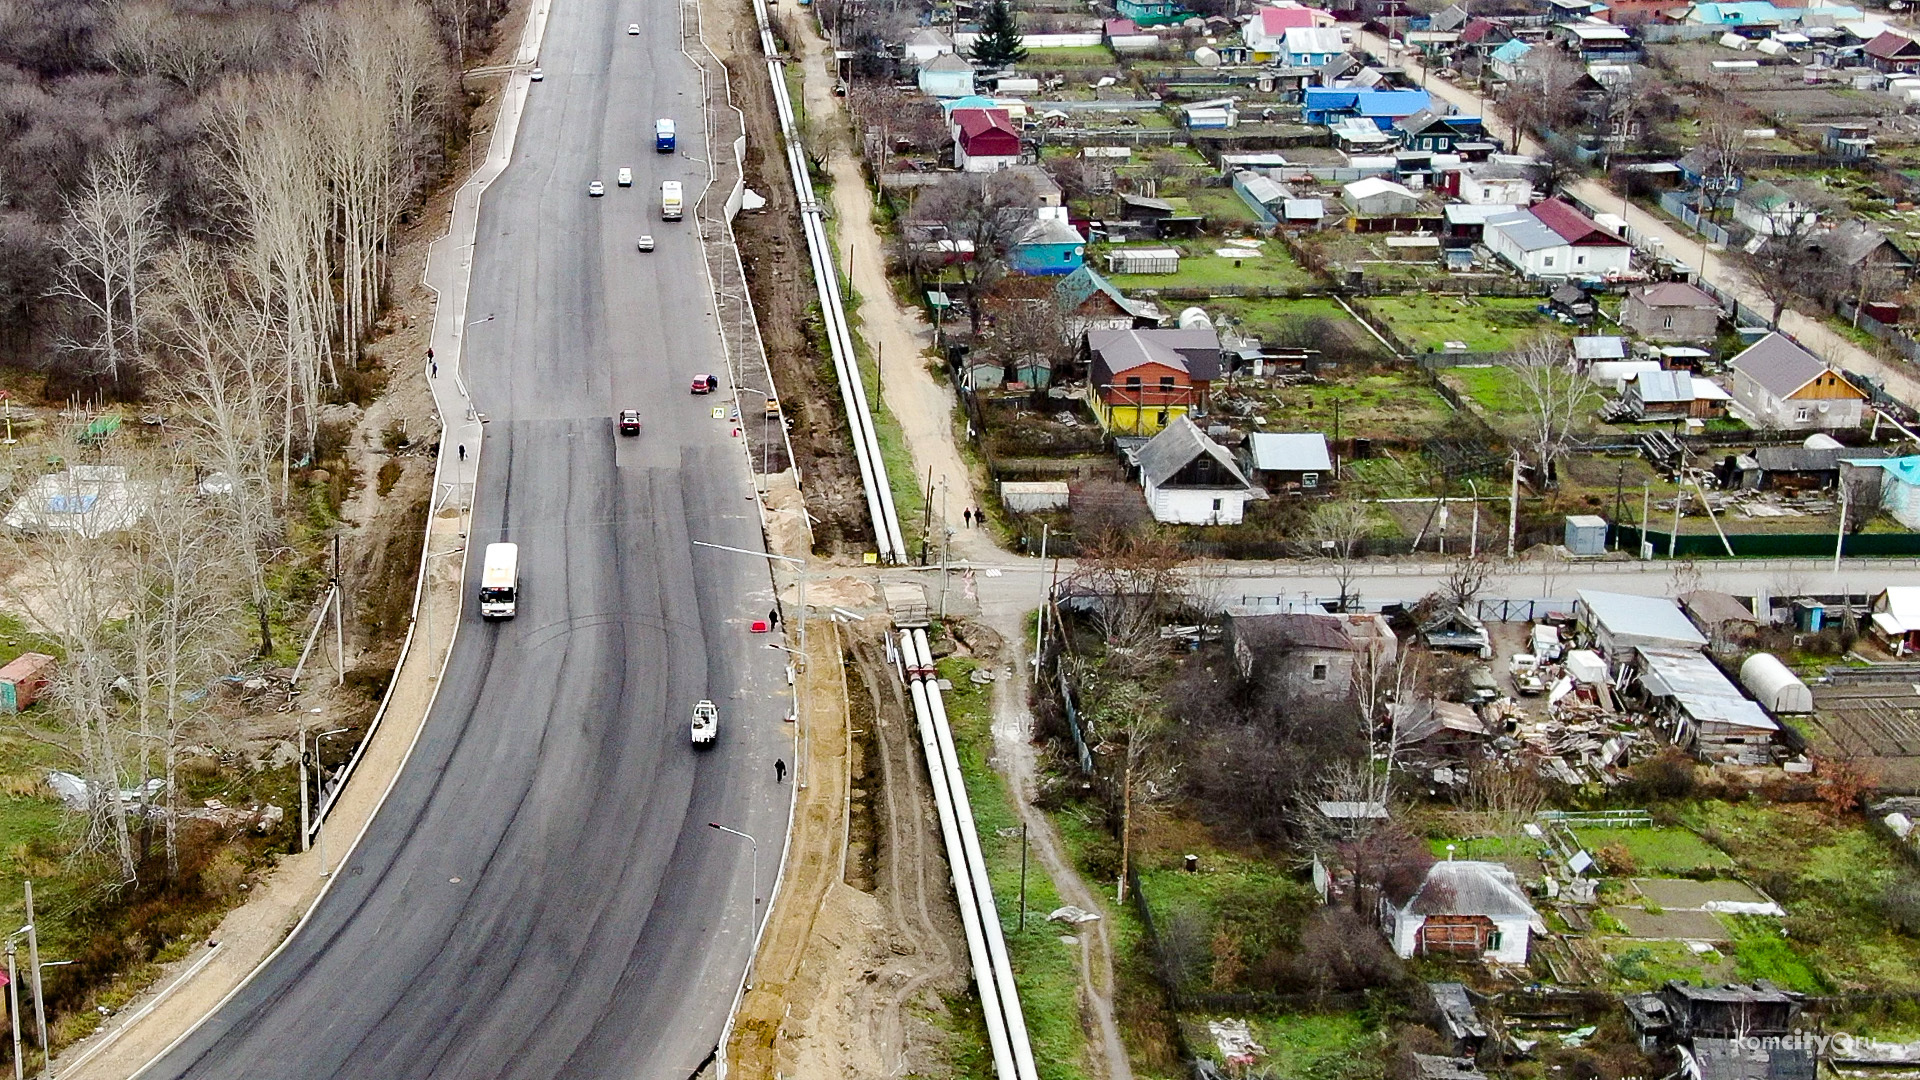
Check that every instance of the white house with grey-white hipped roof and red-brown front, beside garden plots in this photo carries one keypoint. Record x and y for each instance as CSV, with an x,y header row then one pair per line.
x,y
1464,910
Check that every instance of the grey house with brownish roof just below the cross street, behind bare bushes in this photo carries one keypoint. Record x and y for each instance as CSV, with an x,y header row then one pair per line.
x,y
1310,652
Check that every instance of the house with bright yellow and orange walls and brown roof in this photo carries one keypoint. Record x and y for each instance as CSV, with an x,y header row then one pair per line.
x,y
1143,380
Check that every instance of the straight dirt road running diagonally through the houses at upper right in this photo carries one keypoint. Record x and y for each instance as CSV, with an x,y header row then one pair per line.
x,y
1823,341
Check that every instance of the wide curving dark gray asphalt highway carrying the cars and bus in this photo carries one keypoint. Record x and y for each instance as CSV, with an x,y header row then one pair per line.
x,y
540,896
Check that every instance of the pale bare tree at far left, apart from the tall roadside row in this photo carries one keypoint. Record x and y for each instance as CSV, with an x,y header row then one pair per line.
x,y
108,241
